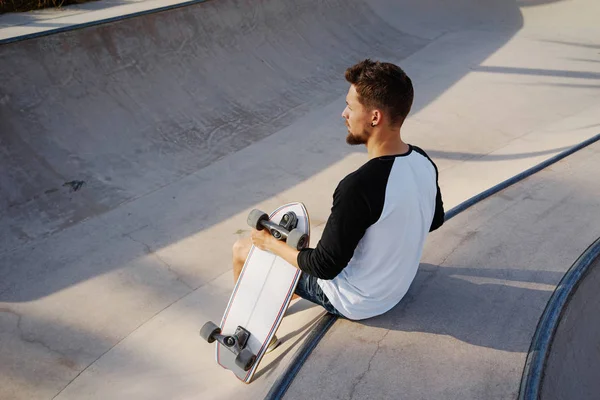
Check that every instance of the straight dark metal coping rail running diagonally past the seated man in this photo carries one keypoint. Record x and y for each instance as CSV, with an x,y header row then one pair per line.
x,y
282,384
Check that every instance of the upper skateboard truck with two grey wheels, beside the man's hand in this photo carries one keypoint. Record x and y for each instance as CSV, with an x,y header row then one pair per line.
x,y
285,230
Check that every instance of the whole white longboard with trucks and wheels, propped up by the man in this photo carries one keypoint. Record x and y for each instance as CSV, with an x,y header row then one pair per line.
x,y
261,295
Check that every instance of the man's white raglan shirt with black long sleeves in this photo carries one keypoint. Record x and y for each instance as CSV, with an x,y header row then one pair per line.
x,y
372,243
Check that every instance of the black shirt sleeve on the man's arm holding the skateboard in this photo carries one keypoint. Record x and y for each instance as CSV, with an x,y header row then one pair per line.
x,y
352,213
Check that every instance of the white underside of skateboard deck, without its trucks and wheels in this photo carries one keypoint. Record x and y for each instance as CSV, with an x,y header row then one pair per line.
x,y
260,298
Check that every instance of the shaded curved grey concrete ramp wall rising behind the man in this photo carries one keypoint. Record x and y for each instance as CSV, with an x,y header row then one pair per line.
x,y
132,106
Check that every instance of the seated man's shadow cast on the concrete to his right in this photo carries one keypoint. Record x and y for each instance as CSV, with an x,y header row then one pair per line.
x,y
495,308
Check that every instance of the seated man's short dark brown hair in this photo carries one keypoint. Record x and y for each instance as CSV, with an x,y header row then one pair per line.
x,y
382,85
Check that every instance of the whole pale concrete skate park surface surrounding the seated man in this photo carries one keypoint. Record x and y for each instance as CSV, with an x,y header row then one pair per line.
x,y
180,122
